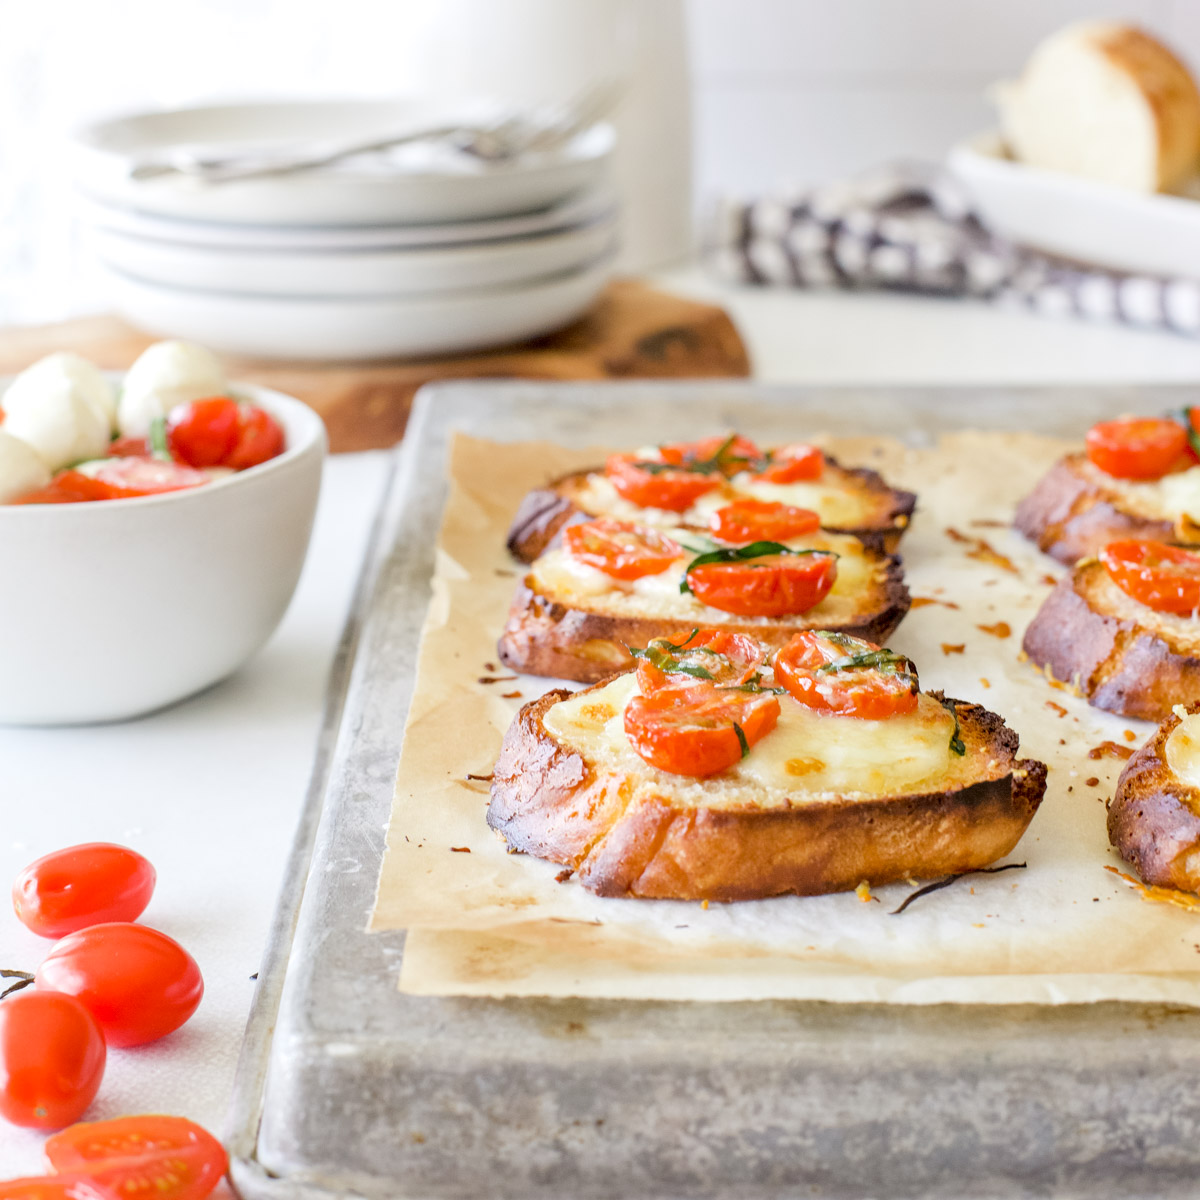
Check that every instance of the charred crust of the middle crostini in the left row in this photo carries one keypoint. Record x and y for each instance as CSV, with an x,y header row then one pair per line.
x,y
545,638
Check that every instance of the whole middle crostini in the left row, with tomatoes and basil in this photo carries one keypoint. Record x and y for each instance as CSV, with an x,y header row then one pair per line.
x,y
605,589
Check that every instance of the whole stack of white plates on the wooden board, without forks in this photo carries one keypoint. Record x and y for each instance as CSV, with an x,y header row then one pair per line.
x,y
422,250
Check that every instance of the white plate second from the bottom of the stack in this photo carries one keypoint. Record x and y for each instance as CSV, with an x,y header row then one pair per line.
x,y
352,273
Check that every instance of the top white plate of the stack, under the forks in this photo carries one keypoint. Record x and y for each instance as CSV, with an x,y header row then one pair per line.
x,y
412,185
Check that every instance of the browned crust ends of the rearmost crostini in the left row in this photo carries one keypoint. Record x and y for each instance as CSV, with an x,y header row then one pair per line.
x,y
545,511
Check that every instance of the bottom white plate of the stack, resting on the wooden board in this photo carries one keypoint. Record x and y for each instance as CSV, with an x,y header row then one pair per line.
x,y
379,328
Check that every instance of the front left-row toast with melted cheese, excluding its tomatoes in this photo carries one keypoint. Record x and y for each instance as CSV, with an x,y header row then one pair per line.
x,y
820,805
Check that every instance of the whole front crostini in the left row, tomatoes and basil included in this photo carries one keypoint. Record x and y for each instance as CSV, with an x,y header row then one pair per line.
x,y
721,770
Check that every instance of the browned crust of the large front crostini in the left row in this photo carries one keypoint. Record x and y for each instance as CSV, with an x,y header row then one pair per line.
x,y
550,802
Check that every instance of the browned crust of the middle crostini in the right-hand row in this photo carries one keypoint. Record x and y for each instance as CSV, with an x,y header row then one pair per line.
x,y
1118,664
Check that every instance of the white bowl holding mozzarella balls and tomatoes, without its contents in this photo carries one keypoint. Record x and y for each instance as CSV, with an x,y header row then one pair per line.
x,y
115,609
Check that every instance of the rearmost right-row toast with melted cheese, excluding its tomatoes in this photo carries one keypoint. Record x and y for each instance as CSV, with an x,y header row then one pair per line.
x,y
1077,511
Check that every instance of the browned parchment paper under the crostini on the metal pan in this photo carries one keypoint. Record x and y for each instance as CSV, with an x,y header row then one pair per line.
x,y
484,922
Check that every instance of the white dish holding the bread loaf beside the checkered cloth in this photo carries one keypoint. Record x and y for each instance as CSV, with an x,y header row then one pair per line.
x,y
1078,219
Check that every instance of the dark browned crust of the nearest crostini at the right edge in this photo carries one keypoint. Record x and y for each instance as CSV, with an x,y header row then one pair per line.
x,y
1155,818
